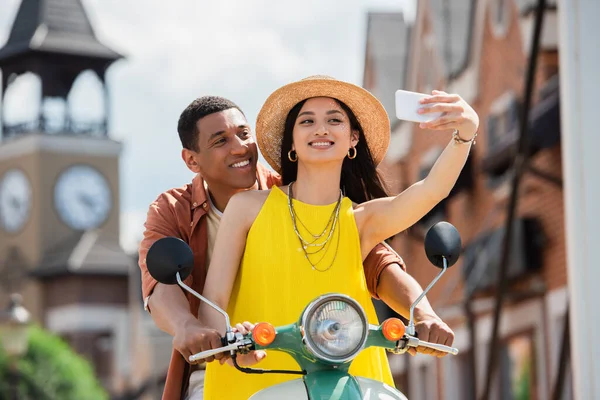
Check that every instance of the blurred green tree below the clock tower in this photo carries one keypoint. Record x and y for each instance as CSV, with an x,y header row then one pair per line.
x,y
50,370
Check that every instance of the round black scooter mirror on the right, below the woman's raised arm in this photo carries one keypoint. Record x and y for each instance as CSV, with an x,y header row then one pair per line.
x,y
442,241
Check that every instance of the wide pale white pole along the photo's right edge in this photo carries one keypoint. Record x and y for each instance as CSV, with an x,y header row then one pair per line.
x,y
579,82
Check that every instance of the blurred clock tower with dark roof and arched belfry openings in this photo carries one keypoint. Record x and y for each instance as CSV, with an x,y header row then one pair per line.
x,y
59,188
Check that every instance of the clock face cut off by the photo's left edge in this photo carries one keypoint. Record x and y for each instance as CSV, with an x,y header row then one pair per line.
x,y
15,200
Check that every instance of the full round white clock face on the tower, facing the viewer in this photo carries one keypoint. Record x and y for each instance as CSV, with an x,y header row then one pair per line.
x,y
82,197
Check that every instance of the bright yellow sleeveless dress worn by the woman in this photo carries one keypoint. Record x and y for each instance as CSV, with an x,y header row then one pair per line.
x,y
275,283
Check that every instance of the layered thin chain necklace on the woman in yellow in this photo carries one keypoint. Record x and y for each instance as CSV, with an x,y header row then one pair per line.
x,y
315,244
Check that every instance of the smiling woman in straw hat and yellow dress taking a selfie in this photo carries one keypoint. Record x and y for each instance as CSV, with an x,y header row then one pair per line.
x,y
277,250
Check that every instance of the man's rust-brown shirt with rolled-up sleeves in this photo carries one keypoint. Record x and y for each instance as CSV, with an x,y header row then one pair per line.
x,y
182,213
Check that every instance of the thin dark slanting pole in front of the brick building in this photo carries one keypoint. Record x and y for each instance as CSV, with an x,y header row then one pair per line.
x,y
519,167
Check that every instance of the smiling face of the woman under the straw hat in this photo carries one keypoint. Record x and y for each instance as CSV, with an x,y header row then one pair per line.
x,y
322,132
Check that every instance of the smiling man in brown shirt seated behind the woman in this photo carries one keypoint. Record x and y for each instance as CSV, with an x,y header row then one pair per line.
x,y
219,148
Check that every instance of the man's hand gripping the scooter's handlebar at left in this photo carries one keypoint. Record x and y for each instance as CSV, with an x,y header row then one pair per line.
x,y
192,337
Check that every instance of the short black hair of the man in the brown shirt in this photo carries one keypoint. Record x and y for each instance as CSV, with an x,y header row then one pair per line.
x,y
199,108
